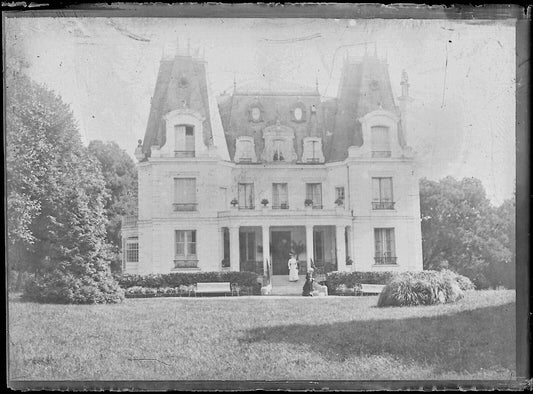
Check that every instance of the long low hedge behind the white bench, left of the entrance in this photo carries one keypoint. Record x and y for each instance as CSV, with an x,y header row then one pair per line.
x,y
245,280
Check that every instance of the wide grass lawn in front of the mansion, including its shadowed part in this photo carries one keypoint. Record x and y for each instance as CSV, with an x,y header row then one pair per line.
x,y
264,338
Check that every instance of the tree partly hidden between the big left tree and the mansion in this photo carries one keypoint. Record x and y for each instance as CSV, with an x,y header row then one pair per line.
x,y
120,177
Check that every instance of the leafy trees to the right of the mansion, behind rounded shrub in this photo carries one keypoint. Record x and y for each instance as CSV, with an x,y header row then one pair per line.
x,y
463,232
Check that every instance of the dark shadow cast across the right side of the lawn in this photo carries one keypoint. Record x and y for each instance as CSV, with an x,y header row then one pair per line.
x,y
466,341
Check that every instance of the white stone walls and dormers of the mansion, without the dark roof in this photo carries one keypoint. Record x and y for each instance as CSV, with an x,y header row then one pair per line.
x,y
339,231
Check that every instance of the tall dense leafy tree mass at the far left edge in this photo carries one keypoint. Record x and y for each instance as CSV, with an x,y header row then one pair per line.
x,y
55,200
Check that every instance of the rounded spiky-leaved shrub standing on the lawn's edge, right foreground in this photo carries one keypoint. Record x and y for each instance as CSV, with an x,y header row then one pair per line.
x,y
420,288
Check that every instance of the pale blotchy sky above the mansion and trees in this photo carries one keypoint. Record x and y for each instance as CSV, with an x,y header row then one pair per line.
x,y
461,75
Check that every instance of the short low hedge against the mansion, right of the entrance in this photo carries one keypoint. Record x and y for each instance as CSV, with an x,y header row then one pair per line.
x,y
338,281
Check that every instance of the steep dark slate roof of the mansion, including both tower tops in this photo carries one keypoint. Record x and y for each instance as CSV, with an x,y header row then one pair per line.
x,y
364,87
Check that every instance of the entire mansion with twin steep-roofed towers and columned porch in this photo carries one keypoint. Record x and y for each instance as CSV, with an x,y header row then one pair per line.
x,y
238,182
